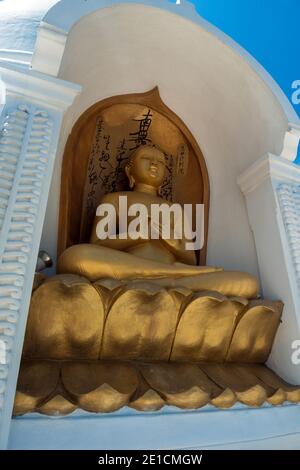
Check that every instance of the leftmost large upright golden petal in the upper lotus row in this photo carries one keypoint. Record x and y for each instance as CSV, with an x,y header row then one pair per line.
x,y
65,320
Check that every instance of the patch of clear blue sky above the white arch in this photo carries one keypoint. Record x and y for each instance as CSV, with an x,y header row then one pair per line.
x,y
268,29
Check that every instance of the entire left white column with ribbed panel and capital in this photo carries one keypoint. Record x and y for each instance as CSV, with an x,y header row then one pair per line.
x,y
30,126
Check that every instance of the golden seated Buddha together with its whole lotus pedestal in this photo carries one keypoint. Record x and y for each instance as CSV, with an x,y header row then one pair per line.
x,y
96,344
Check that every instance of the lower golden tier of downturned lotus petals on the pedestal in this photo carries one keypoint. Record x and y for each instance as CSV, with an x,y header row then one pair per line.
x,y
108,386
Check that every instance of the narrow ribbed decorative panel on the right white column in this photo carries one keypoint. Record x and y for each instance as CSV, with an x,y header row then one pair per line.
x,y
289,200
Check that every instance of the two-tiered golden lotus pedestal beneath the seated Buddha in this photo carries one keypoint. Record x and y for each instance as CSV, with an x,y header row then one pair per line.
x,y
104,345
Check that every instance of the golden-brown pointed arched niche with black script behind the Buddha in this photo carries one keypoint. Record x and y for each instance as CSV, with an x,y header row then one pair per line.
x,y
98,149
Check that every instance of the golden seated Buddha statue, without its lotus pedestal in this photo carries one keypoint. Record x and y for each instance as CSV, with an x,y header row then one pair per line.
x,y
163,262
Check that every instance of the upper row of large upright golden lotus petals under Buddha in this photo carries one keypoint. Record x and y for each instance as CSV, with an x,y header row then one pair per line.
x,y
72,319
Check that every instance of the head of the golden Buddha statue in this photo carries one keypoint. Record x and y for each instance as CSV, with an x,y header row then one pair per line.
x,y
147,166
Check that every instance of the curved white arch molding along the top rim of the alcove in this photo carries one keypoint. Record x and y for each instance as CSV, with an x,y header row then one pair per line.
x,y
60,19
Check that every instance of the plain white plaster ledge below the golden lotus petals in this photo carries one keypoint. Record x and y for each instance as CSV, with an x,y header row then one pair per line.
x,y
237,428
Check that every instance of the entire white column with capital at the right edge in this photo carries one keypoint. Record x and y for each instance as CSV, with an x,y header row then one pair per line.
x,y
272,190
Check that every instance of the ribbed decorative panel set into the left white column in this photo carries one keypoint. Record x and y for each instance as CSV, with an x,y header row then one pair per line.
x,y
25,149
